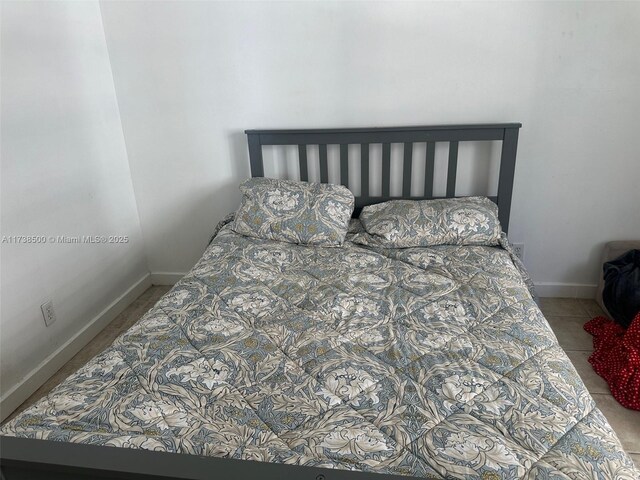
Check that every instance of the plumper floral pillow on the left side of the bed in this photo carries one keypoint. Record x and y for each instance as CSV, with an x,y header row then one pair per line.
x,y
295,212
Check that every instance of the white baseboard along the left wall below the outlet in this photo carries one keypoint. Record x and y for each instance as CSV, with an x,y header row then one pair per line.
x,y
13,398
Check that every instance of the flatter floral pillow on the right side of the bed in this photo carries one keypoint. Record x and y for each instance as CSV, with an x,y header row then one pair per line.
x,y
425,223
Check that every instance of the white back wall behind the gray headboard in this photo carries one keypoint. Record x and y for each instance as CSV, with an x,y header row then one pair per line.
x,y
191,77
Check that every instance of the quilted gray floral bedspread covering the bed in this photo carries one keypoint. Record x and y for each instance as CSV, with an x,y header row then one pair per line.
x,y
432,362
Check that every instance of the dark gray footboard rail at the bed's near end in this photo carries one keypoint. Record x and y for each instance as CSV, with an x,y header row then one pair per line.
x,y
33,459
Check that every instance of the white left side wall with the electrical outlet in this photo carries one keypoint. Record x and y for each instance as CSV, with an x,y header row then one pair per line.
x,y
64,172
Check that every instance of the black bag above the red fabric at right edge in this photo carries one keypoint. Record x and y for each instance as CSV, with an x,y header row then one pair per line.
x,y
621,294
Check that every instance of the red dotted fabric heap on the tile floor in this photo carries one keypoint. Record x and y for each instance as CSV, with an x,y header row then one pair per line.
x,y
616,358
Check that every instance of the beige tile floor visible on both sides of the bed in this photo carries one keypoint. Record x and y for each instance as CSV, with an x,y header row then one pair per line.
x,y
566,316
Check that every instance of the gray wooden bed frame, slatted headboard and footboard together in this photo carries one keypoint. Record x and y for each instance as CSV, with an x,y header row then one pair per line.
x,y
34,459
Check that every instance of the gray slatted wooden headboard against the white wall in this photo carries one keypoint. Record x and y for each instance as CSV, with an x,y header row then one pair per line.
x,y
507,133
